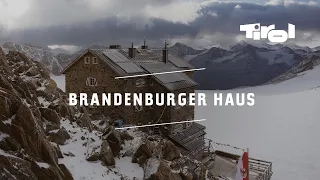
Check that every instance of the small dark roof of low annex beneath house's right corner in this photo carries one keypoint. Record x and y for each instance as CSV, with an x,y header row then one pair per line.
x,y
188,137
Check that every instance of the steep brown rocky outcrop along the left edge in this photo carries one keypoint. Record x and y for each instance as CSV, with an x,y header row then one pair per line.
x,y
25,121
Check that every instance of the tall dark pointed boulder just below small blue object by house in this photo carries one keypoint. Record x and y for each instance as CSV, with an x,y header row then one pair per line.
x,y
114,139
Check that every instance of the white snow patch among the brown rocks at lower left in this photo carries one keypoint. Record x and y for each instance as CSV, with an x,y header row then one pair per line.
x,y
84,170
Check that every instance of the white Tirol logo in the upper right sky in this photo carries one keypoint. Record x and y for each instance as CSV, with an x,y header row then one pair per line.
x,y
257,32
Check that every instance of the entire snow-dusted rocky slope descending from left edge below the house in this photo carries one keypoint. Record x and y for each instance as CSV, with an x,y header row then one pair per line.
x,y
41,137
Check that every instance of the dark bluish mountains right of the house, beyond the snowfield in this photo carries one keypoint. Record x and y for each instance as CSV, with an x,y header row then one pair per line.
x,y
244,64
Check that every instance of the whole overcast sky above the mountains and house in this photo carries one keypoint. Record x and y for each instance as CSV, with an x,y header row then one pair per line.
x,y
198,23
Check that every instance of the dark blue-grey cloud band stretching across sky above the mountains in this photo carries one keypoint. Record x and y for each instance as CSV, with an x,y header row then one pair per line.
x,y
222,28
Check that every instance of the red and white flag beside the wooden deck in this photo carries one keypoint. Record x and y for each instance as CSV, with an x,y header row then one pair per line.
x,y
243,167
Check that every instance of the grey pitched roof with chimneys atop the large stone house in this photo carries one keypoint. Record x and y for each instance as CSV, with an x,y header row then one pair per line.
x,y
146,61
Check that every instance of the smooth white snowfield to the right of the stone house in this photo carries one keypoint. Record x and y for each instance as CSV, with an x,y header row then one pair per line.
x,y
282,127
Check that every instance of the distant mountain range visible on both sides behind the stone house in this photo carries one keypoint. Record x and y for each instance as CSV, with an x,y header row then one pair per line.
x,y
243,64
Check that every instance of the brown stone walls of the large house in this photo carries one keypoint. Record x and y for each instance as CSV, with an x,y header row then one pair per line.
x,y
78,73
